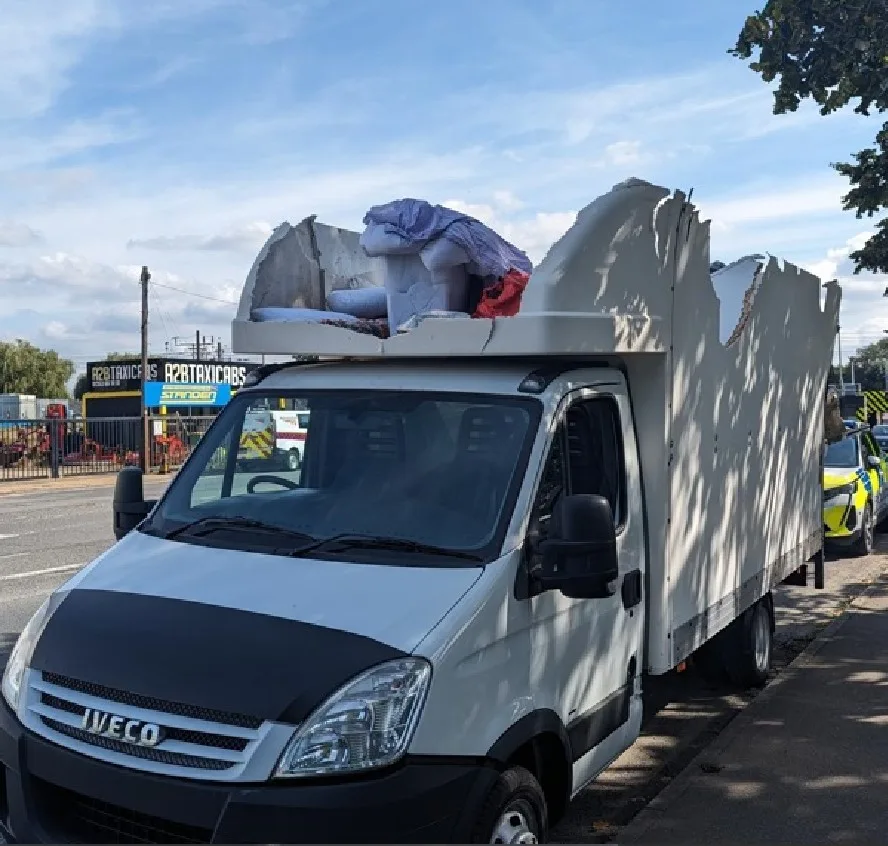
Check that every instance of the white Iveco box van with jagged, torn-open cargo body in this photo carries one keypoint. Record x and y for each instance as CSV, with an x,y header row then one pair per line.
x,y
436,629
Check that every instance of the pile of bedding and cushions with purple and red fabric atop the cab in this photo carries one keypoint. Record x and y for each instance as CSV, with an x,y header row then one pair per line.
x,y
425,261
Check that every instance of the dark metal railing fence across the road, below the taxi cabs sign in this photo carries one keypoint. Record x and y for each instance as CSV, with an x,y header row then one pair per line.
x,y
48,449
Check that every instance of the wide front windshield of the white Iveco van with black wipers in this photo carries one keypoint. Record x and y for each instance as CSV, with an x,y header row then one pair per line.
x,y
374,475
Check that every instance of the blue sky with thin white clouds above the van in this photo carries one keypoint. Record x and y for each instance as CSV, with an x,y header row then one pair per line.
x,y
177,134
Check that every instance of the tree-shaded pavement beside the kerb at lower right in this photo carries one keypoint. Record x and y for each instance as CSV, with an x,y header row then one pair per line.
x,y
806,762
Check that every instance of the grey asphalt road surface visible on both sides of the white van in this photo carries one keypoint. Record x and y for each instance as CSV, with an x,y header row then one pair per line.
x,y
46,535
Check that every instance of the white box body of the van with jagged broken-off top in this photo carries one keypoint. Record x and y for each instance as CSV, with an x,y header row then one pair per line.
x,y
727,374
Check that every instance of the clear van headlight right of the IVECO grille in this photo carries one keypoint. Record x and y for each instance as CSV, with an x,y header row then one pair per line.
x,y
365,725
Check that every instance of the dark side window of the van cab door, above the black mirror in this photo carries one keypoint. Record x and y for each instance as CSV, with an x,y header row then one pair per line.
x,y
586,457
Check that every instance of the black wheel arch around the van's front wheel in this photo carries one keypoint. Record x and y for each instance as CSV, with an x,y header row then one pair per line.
x,y
538,742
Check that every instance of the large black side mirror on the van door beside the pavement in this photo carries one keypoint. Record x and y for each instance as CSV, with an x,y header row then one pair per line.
x,y
580,553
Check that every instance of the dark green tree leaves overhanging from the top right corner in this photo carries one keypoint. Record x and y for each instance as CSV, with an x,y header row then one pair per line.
x,y
832,52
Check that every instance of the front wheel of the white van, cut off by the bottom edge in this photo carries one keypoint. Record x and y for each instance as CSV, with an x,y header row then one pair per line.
x,y
514,812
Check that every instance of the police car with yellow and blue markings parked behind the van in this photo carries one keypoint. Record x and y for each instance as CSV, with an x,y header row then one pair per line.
x,y
855,491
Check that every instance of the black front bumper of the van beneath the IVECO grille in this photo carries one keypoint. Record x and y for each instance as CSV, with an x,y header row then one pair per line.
x,y
49,794
